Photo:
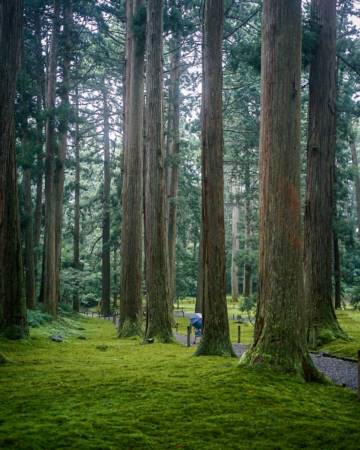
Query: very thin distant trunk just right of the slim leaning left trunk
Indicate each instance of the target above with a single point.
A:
(76, 263)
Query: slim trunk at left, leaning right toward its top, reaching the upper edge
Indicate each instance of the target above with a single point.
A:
(59, 177)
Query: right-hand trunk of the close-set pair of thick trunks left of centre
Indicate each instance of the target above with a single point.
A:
(158, 312)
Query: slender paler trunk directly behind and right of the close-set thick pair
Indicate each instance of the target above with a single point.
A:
(173, 155)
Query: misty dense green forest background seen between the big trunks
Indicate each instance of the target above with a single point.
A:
(87, 114)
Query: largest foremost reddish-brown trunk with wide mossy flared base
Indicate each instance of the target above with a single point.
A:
(279, 338)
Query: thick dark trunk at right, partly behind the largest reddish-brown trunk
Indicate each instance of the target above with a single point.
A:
(318, 238)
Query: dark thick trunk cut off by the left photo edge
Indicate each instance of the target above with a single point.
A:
(12, 299)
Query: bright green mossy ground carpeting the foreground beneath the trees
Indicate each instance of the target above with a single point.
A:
(95, 391)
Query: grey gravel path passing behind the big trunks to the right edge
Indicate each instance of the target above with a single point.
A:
(341, 372)
